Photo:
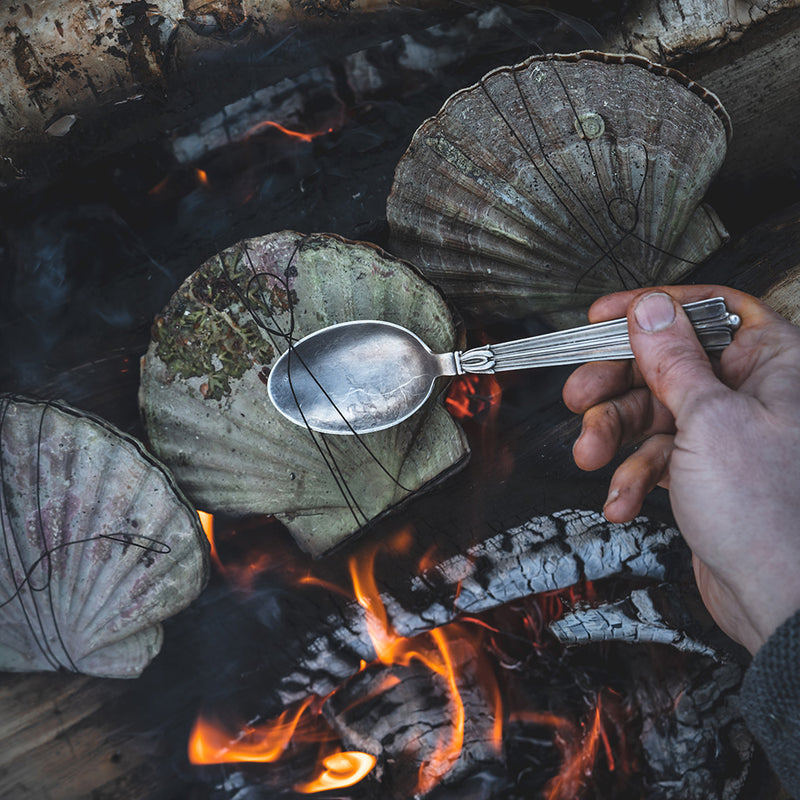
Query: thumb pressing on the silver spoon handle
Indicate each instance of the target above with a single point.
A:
(670, 357)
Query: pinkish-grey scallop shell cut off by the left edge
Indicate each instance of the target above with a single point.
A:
(98, 545)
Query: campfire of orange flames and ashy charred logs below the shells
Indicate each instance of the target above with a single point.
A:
(447, 706)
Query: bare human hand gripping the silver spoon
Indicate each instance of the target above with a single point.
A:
(723, 438)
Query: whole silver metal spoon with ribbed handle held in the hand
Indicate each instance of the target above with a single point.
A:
(367, 375)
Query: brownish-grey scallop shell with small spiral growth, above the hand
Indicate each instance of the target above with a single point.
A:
(555, 181)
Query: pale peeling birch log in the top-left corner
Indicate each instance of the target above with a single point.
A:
(63, 60)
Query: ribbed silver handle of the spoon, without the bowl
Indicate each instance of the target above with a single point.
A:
(602, 341)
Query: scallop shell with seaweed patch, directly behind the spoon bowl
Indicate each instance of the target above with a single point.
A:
(203, 388)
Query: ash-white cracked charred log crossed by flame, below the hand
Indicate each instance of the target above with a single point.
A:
(545, 555)
